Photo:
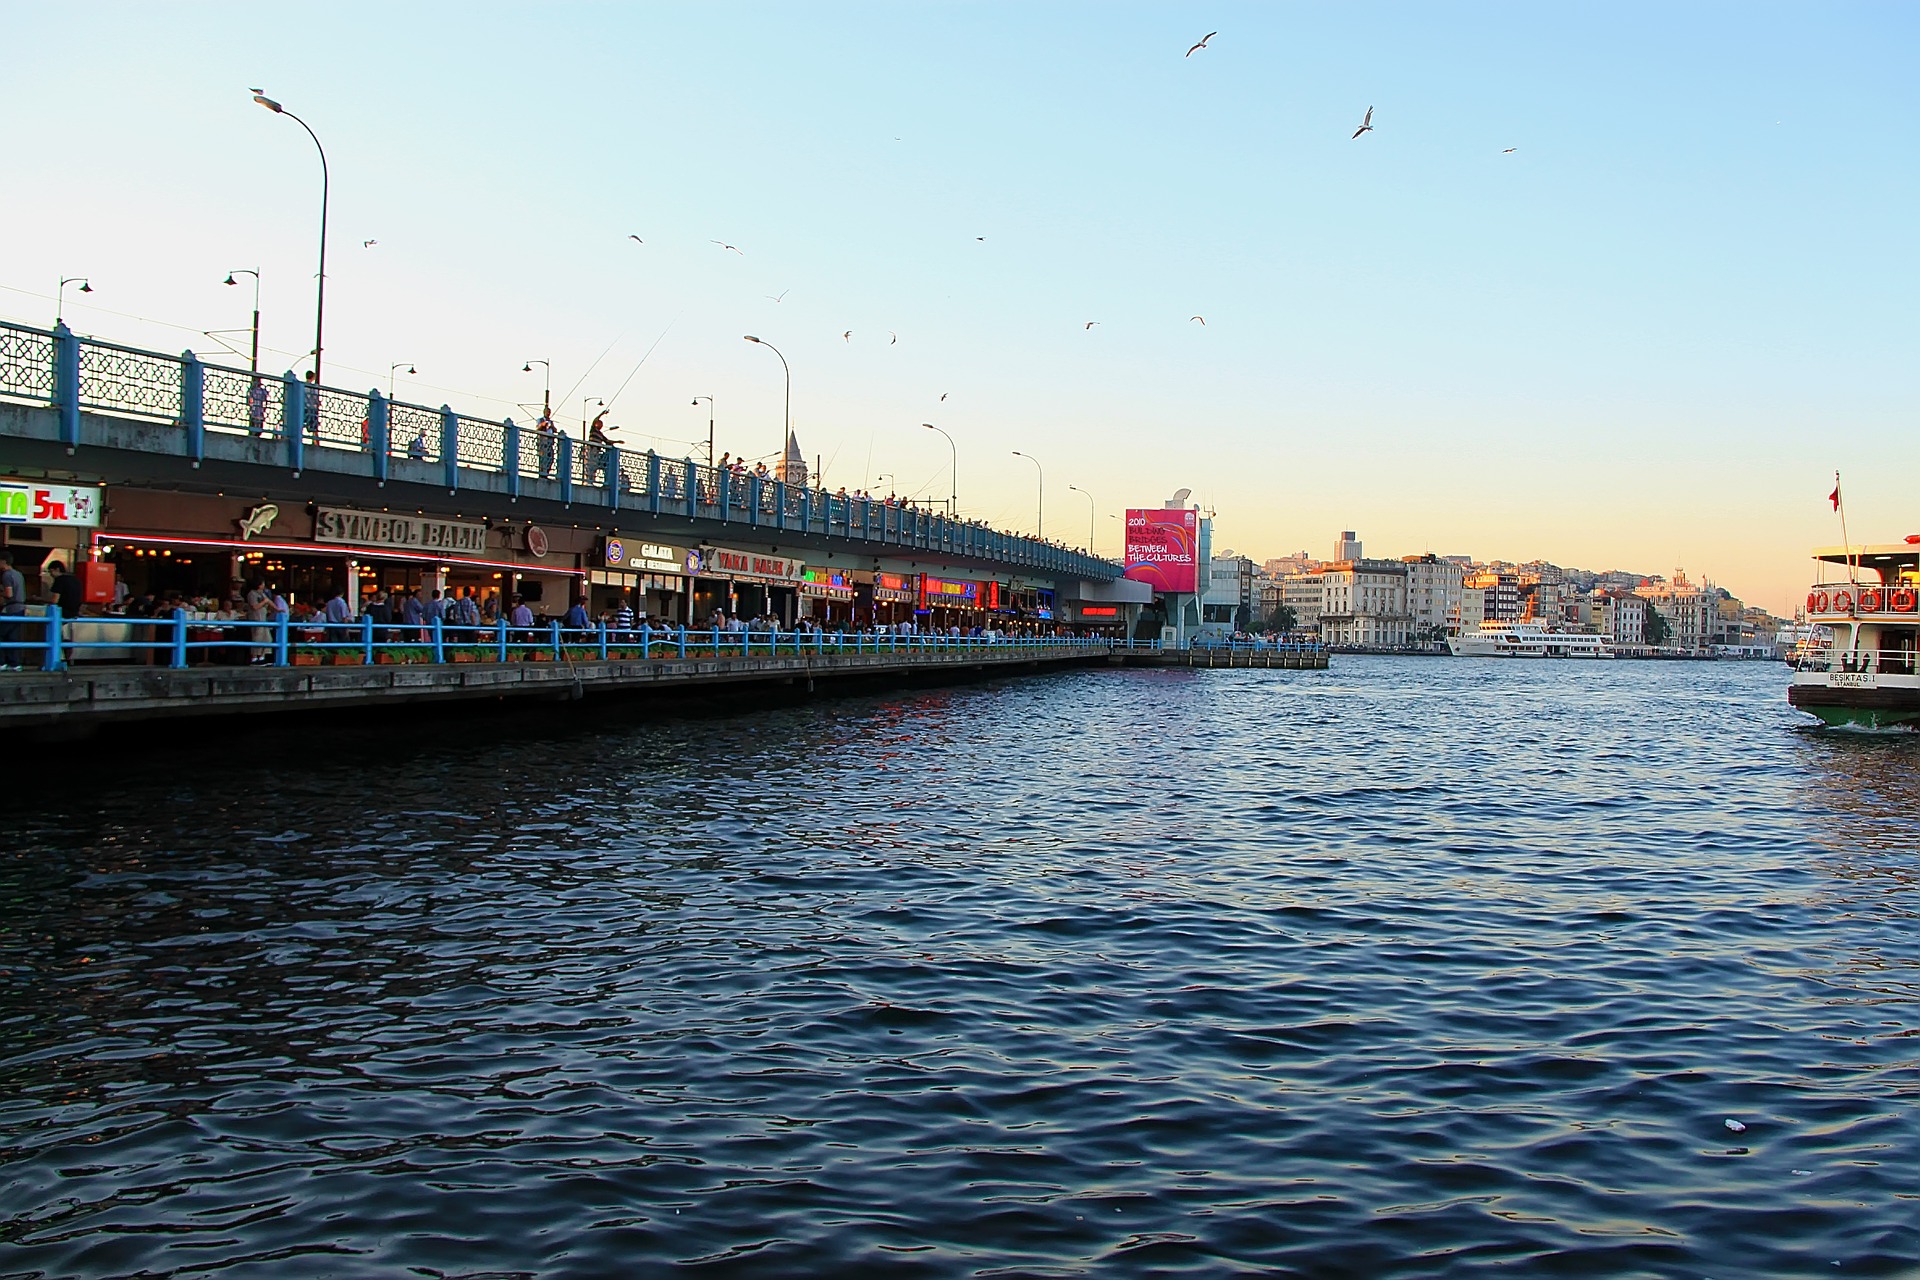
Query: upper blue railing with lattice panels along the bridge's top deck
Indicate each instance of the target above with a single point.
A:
(299, 423)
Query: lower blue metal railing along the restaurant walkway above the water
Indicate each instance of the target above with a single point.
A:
(180, 642)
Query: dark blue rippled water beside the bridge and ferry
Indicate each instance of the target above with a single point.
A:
(1395, 970)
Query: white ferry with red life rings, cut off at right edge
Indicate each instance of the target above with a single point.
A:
(1865, 676)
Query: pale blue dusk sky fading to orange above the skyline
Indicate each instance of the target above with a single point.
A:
(1644, 339)
